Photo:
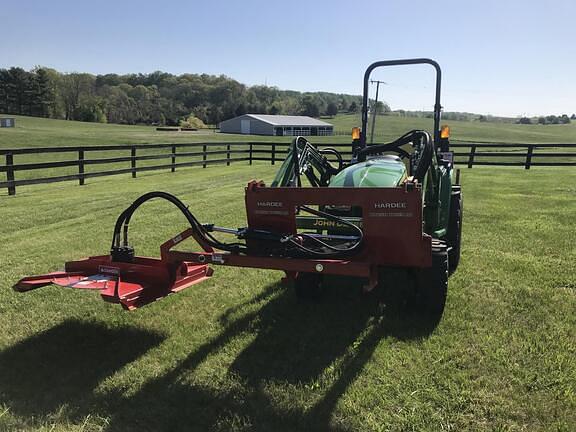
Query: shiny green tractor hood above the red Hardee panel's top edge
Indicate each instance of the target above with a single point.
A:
(383, 171)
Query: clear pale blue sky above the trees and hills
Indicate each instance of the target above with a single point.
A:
(501, 57)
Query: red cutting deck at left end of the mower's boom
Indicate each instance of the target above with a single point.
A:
(131, 284)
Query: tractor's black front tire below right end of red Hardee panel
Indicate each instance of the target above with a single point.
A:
(432, 286)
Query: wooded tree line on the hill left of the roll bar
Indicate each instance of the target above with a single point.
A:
(156, 98)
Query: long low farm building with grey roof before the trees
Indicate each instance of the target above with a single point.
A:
(278, 125)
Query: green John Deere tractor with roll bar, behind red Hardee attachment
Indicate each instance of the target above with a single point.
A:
(415, 158)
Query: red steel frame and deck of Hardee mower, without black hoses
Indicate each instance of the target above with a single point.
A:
(391, 223)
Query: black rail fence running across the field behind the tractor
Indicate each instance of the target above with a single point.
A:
(173, 156)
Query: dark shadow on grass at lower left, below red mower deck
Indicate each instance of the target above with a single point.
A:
(61, 367)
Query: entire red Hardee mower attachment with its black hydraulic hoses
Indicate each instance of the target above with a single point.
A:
(272, 240)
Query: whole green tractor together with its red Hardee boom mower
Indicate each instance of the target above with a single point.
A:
(390, 216)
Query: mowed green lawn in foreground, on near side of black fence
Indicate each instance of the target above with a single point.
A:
(240, 352)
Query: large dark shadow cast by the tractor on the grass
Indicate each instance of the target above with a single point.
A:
(295, 343)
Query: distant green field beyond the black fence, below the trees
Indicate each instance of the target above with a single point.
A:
(39, 132)
